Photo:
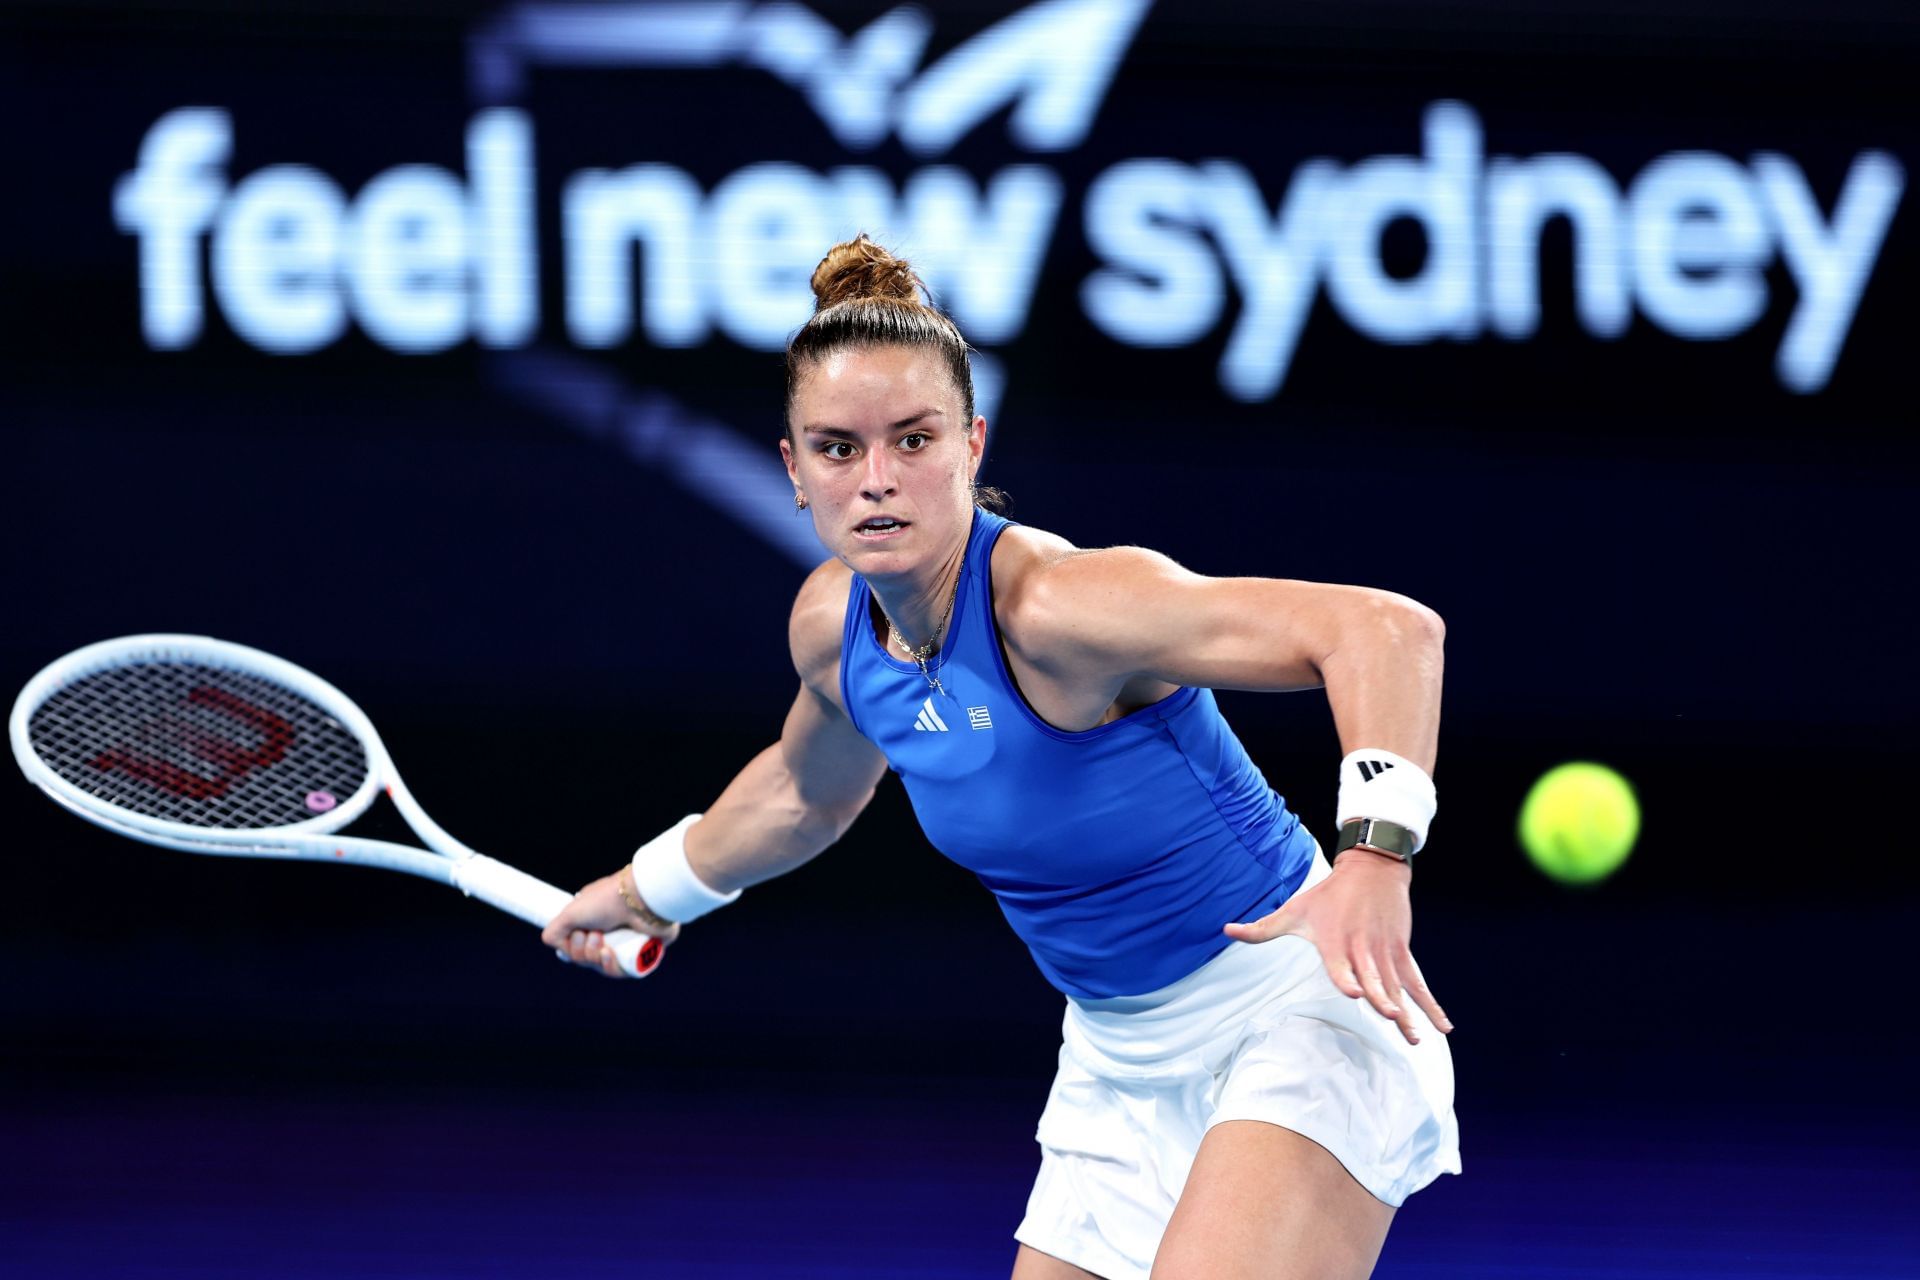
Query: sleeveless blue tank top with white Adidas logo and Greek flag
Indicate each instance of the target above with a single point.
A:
(1116, 853)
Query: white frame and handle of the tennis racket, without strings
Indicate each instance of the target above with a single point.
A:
(318, 838)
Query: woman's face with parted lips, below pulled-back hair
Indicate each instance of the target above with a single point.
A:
(884, 458)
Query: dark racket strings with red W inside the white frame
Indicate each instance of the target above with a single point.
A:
(199, 746)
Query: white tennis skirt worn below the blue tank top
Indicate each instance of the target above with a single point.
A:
(1259, 1033)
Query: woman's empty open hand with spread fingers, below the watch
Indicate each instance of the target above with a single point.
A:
(1362, 922)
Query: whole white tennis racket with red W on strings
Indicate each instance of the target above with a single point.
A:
(208, 747)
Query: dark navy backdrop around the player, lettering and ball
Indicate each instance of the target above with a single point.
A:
(1646, 550)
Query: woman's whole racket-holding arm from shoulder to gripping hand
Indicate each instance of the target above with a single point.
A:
(790, 803)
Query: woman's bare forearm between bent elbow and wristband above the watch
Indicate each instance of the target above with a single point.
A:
(1383, 678)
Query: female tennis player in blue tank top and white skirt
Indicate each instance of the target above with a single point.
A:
(1249, 1079)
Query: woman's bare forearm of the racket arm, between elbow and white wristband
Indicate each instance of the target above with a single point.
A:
(763, 826)
